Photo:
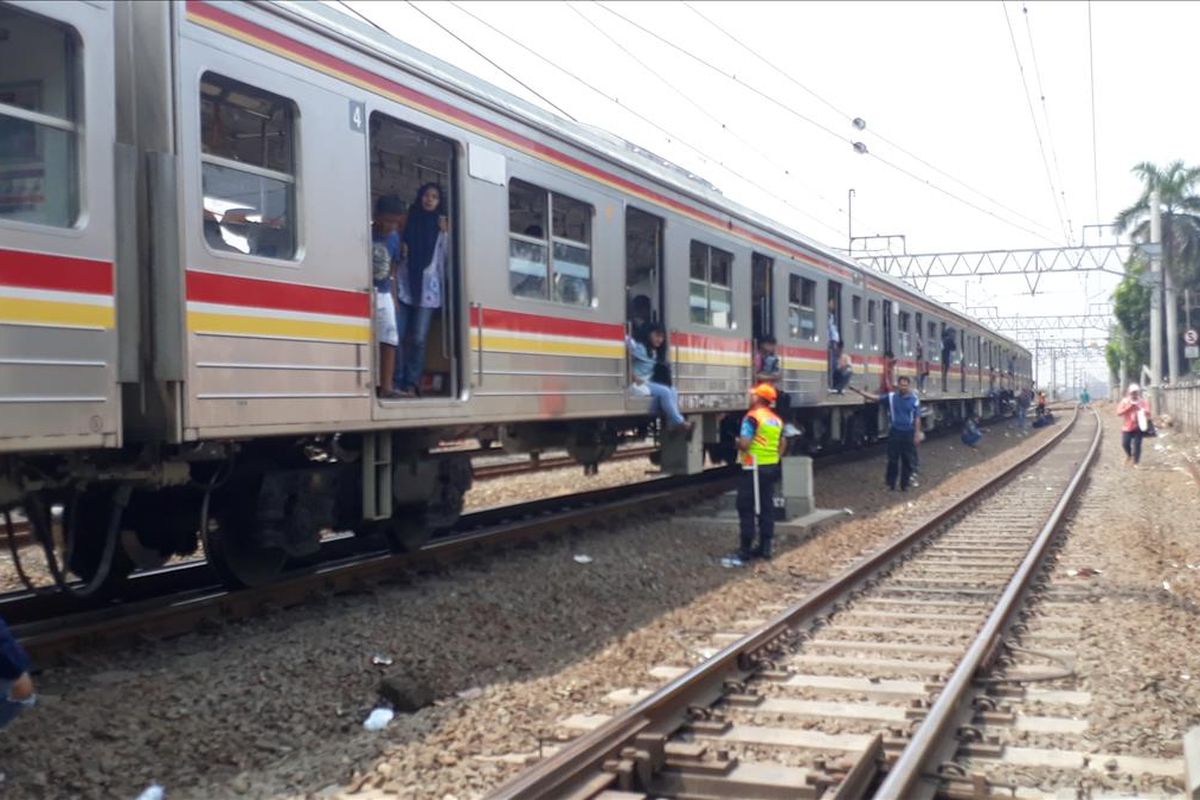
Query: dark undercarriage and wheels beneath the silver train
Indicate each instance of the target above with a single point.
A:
(261, 509)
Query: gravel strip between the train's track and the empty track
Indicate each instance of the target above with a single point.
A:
(509, 646)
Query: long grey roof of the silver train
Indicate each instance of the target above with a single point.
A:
(334, 22)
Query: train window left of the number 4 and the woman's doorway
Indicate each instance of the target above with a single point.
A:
(248, 161)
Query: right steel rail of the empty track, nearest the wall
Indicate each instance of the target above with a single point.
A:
(931, 738)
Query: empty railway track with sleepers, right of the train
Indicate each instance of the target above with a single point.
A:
(937, 667)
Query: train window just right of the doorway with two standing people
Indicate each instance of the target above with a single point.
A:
(567, 276)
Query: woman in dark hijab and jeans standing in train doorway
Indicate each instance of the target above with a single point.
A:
(419, 285)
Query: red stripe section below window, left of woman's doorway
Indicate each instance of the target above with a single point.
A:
(256, 293)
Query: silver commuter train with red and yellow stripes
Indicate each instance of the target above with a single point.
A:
(188, 356)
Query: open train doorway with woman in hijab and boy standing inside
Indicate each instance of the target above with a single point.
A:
(405, 161)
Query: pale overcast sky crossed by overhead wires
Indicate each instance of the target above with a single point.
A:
(937, 80)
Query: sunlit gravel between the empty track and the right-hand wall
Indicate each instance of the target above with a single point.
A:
(1137, 652)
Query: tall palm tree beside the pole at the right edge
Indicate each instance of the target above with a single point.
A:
(1178, 191)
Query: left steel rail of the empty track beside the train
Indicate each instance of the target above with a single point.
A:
(578, 765)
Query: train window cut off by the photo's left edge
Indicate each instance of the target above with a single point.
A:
(39, 131)
